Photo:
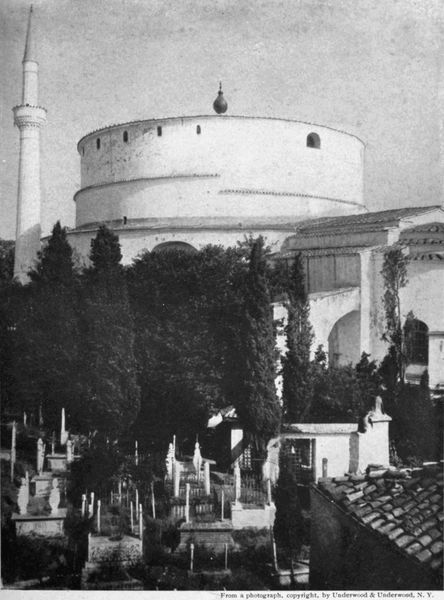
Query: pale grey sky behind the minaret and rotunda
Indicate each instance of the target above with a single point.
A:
(369, 67)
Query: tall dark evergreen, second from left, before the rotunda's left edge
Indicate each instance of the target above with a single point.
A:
(110, 402)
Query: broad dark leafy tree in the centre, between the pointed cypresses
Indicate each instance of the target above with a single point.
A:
(183, 305)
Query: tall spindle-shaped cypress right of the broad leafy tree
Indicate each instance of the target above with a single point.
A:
(256, 404)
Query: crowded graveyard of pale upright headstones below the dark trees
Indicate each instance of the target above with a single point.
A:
(190, 523)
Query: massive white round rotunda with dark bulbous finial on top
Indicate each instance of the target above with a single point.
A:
(190, 181)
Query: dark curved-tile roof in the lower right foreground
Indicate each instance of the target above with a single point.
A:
(403, 506)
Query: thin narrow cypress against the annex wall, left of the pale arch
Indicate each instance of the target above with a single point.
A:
(296, 368)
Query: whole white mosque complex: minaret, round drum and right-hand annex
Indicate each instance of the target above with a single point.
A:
(185, 182)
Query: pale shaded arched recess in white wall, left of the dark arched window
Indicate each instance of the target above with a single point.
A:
(344, 340)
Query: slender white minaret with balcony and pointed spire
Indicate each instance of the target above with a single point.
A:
(28, 117)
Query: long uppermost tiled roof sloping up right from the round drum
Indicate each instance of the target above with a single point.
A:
(383, 217)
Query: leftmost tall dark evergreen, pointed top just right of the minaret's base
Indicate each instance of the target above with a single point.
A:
(47, 345)
